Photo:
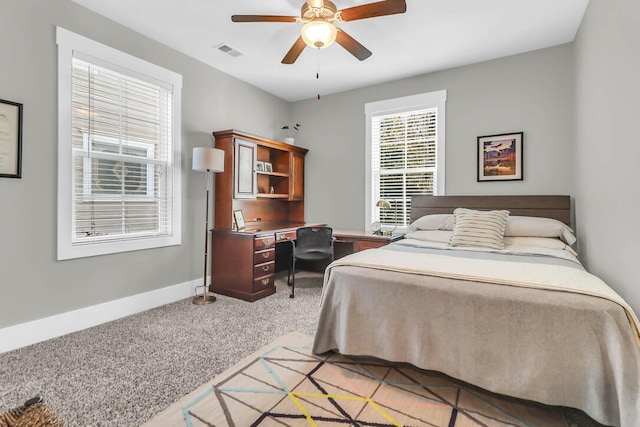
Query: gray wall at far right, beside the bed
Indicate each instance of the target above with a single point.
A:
(607, 53)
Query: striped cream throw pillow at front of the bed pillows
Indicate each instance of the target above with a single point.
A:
(483, 229)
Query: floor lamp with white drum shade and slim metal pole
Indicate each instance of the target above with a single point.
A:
(206, 159)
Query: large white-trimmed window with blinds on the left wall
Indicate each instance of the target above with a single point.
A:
(118, 151)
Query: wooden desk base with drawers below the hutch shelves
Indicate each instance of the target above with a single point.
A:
(243, 262)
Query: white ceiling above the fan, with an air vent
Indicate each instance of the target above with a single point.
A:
(432, 35)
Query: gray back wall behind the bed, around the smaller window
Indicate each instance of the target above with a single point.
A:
(531, 92)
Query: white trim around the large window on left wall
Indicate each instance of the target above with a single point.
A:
(68, 43)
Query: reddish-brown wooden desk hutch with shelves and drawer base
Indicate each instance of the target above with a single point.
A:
(272, 203)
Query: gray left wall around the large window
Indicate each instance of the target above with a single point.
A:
(32, 283)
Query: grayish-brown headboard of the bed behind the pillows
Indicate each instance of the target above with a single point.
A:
(556, 207)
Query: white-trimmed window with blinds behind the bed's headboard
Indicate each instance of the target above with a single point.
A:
(405, 155)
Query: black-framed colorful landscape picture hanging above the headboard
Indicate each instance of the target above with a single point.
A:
(500, 157)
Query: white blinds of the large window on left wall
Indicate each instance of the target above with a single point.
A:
(121, 146)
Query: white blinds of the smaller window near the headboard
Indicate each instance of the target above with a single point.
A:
(403, 161)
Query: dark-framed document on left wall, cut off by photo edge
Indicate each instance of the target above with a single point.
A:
(10, 139)
